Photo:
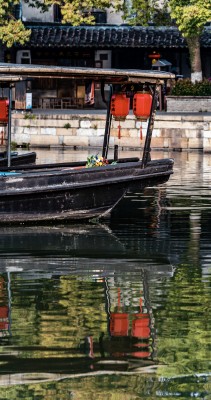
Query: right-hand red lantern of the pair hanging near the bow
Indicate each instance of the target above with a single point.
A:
(142, 103)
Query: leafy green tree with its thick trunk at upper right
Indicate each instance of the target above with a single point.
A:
(190, 17)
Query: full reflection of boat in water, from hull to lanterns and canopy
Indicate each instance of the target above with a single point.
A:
(60, 270)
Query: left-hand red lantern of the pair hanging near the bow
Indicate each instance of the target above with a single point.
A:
(120, 106)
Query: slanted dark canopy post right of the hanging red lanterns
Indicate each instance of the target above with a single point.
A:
(147, 149)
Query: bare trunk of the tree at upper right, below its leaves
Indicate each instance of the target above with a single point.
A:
(195, 58)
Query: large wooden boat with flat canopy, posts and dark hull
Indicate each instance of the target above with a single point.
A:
(70, 191)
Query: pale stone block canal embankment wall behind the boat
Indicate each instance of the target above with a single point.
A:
(171, 131)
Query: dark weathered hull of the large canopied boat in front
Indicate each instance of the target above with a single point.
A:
(71, 194)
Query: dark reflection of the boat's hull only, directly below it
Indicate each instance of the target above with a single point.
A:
(78, 249)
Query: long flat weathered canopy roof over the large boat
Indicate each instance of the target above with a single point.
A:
(107, 75)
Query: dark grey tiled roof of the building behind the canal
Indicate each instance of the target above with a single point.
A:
(110, 36)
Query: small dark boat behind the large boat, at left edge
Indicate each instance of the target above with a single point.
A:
(17, 158)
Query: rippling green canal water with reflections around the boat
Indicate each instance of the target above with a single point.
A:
(112, 309)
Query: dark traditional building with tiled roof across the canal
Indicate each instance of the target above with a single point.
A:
(108, 44)
